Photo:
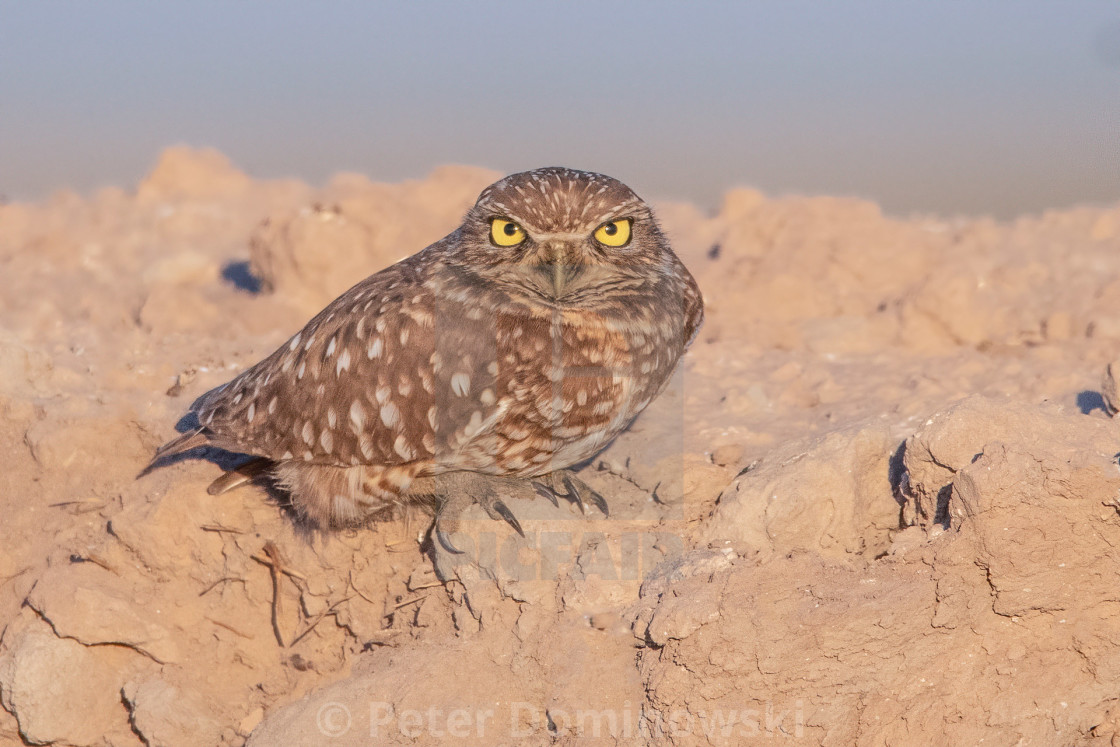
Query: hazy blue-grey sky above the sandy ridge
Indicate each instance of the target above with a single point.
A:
(994, 106)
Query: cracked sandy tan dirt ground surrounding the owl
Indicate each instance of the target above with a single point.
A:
(880, 506)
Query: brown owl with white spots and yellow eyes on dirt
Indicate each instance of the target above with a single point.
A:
(515, 348)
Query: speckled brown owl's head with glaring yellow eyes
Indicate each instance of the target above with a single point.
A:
(561, 235)
